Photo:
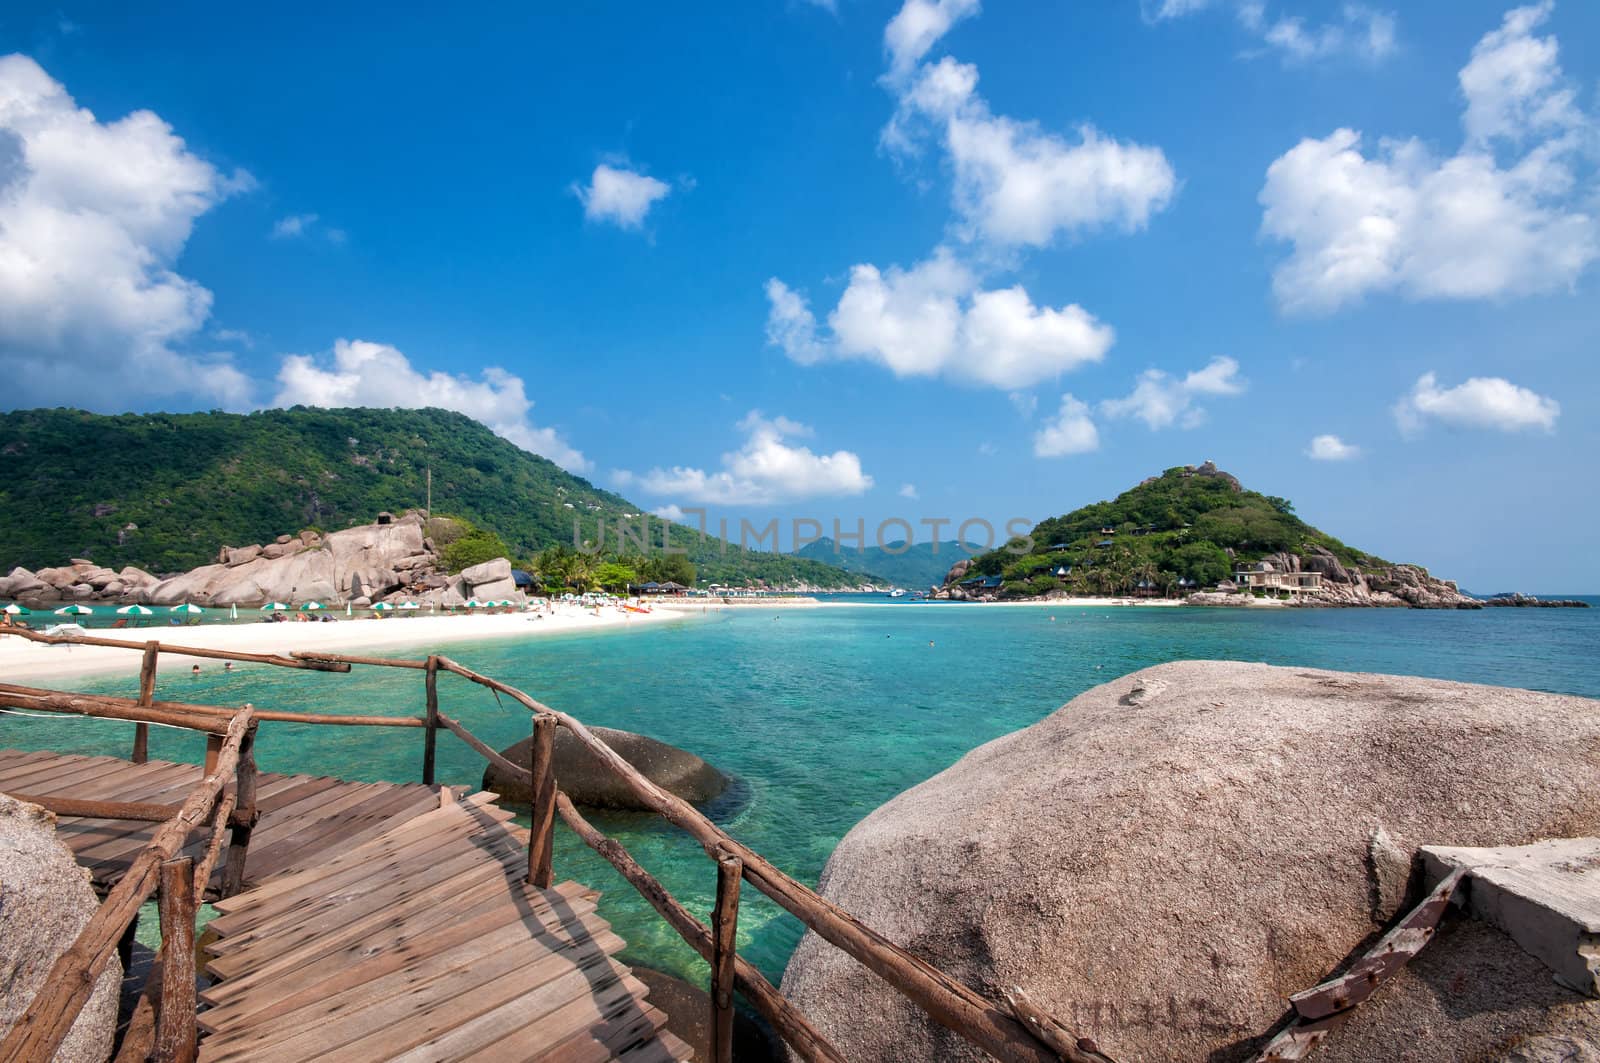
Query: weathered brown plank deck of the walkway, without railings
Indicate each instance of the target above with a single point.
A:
(380, 921)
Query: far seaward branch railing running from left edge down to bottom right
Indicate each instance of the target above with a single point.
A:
(1014, 1032)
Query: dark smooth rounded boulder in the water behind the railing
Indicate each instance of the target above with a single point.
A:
(590, 782)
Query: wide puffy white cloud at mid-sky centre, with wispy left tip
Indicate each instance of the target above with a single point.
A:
(937, 321)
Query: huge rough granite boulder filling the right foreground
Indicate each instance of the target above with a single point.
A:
(1167, 859)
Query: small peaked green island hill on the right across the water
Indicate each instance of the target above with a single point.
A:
(1177, 526)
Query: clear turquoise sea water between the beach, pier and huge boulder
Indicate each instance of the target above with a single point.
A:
(822, 715)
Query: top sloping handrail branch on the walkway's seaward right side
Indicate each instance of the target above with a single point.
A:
(950, 1003)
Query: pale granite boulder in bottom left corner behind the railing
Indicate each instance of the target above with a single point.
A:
(46, 901)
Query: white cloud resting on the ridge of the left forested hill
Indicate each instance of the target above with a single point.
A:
(377, 375)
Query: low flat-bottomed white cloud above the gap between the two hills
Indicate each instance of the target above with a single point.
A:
(767, 470)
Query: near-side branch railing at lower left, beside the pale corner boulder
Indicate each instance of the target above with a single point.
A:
(164, 1024)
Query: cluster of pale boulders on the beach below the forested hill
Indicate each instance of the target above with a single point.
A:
(391, 561)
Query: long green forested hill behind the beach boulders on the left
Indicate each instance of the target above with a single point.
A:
(166, 491)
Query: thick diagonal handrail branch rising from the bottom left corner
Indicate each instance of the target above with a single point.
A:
(49, 1017)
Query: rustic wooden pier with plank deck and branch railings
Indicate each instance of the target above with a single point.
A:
(385, 921)
